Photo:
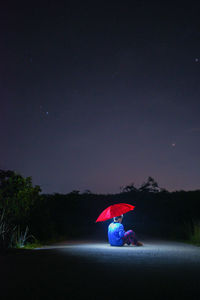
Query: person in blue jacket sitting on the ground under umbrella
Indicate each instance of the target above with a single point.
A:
(117, 236)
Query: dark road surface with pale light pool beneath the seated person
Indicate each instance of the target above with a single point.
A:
(94, 270)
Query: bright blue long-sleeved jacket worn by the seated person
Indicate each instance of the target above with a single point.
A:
(115, 234)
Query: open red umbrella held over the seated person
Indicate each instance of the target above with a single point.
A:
(114, 211)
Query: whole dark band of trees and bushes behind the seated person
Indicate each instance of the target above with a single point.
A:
(60, 216)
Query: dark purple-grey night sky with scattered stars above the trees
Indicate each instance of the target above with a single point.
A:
(96, 95)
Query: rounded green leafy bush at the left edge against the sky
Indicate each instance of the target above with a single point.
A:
(17, 195)
